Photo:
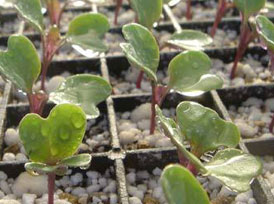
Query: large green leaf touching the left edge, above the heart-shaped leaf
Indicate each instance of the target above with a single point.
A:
(20, 63)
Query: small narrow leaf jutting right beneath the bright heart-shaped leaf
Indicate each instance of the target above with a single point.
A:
(79, 160)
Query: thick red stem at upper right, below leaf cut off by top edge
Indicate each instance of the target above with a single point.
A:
(245, 38)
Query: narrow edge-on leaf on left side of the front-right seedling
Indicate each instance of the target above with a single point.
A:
(171, 130)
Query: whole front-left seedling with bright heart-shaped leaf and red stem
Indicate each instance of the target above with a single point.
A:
(52, 142)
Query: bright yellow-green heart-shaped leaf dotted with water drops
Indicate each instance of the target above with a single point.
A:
(57, 137)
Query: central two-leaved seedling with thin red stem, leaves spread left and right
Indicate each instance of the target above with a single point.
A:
(188, 71)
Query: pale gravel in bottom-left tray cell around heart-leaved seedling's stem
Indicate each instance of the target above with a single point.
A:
(91, 187)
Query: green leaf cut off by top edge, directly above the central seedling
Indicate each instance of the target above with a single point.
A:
(148, 11)
